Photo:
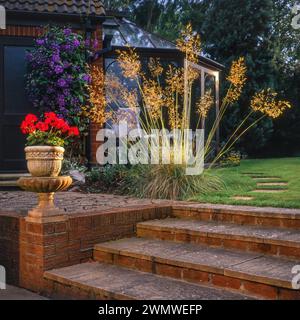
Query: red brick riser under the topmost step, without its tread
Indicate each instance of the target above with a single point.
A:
(271, 220)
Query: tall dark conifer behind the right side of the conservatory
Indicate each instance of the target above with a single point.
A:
(235, 28)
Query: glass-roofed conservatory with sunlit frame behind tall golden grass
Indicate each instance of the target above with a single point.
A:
(120, 33)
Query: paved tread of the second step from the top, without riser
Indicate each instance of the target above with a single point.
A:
(227, 230)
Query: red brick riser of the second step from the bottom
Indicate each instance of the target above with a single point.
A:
(210, 277)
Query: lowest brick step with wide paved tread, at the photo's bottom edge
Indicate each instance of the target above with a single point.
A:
(104, 281)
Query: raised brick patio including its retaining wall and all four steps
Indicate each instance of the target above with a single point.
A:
(163, 250)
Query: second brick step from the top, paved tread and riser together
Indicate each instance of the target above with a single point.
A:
(272, 241)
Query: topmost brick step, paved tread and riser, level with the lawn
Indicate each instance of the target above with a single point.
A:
(268, 217)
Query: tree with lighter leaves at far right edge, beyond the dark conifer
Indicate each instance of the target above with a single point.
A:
(286, 64)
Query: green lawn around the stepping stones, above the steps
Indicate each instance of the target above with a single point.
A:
(237, 183)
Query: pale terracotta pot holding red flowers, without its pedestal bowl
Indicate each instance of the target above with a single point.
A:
(44, 161)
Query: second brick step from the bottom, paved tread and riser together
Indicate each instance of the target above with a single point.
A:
(250, 273)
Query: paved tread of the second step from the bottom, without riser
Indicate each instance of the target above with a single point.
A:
(207, 259)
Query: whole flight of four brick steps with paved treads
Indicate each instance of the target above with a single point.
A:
(200, 252)
